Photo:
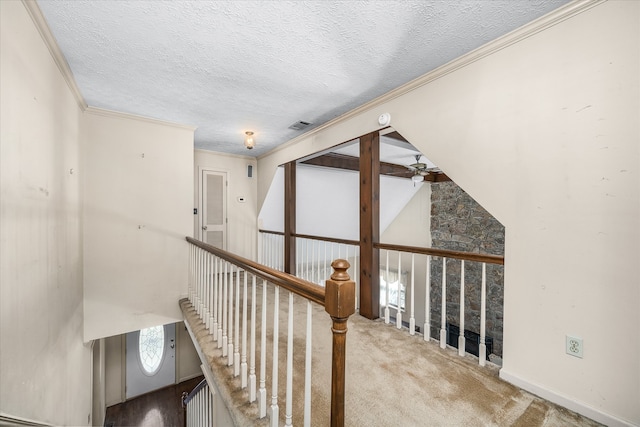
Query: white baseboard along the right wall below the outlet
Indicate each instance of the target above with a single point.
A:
(565, 401)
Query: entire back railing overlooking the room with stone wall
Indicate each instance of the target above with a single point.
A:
(408, 296)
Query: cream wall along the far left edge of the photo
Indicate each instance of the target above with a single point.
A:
(42, 355)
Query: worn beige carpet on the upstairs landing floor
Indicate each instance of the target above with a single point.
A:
(392, 378)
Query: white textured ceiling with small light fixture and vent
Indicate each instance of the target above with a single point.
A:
(231, 66)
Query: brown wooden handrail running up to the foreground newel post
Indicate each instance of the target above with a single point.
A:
(303, 288)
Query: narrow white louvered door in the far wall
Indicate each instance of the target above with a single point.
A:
(213, 207)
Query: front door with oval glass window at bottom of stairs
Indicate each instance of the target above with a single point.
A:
(151, 359)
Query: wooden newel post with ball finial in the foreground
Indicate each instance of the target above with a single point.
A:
(340, 300)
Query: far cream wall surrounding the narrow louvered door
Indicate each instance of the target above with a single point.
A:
(242, 228)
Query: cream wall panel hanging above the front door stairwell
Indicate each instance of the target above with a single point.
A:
(138, 210)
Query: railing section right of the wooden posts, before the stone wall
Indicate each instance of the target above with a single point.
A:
(407, 275)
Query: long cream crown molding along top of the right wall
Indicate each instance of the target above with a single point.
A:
(544, 22)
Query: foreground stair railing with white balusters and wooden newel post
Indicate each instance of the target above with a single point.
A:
(221, 302)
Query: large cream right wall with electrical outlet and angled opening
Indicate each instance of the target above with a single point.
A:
(543, 132)
